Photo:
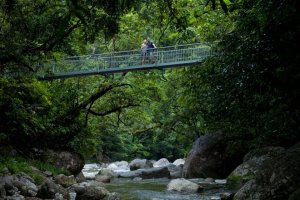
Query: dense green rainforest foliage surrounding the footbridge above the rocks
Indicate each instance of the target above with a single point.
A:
(248, 89)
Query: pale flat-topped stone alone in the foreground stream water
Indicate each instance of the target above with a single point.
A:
(183, 186)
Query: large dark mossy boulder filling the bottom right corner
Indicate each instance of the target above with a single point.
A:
(276, 177)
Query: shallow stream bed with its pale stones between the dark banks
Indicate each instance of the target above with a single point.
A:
(158, 180)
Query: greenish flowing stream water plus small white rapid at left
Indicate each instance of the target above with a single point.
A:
(156, 189)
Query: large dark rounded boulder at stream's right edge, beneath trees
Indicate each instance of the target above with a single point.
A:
(209, 158)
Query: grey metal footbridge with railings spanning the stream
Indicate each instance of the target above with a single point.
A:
(125, 61)
